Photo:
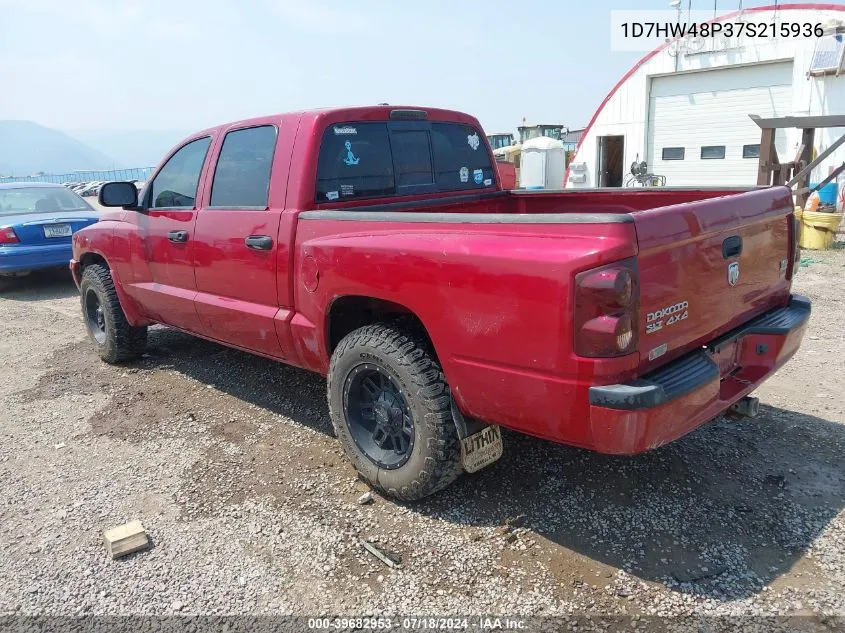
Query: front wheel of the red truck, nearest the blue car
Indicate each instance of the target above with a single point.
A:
(115, 340)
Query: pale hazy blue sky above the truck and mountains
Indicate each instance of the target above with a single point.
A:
(191, 64)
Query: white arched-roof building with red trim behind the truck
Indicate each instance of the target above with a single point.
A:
(684, 108)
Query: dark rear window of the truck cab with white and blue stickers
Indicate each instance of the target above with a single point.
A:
(361, 160)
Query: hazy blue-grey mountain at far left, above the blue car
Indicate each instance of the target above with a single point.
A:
(27, 148)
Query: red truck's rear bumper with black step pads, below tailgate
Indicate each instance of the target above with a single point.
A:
(677, 398)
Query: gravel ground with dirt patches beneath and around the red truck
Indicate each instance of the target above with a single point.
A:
(229, 461)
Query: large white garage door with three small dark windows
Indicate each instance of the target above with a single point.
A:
(699, 130)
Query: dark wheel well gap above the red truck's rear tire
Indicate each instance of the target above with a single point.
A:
(352, 312)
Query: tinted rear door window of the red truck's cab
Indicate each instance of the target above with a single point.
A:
(242, 176)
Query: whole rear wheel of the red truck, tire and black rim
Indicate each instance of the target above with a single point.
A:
(391, 408)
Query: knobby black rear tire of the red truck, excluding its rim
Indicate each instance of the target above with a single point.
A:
(435, 459)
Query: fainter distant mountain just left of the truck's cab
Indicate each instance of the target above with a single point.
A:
(133, 148)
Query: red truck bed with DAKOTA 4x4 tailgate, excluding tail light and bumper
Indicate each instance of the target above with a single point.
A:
(491, 278)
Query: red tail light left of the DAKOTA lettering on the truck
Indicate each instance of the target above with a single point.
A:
(606, 310)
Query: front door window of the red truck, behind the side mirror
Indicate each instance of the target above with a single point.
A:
(175, 185)
